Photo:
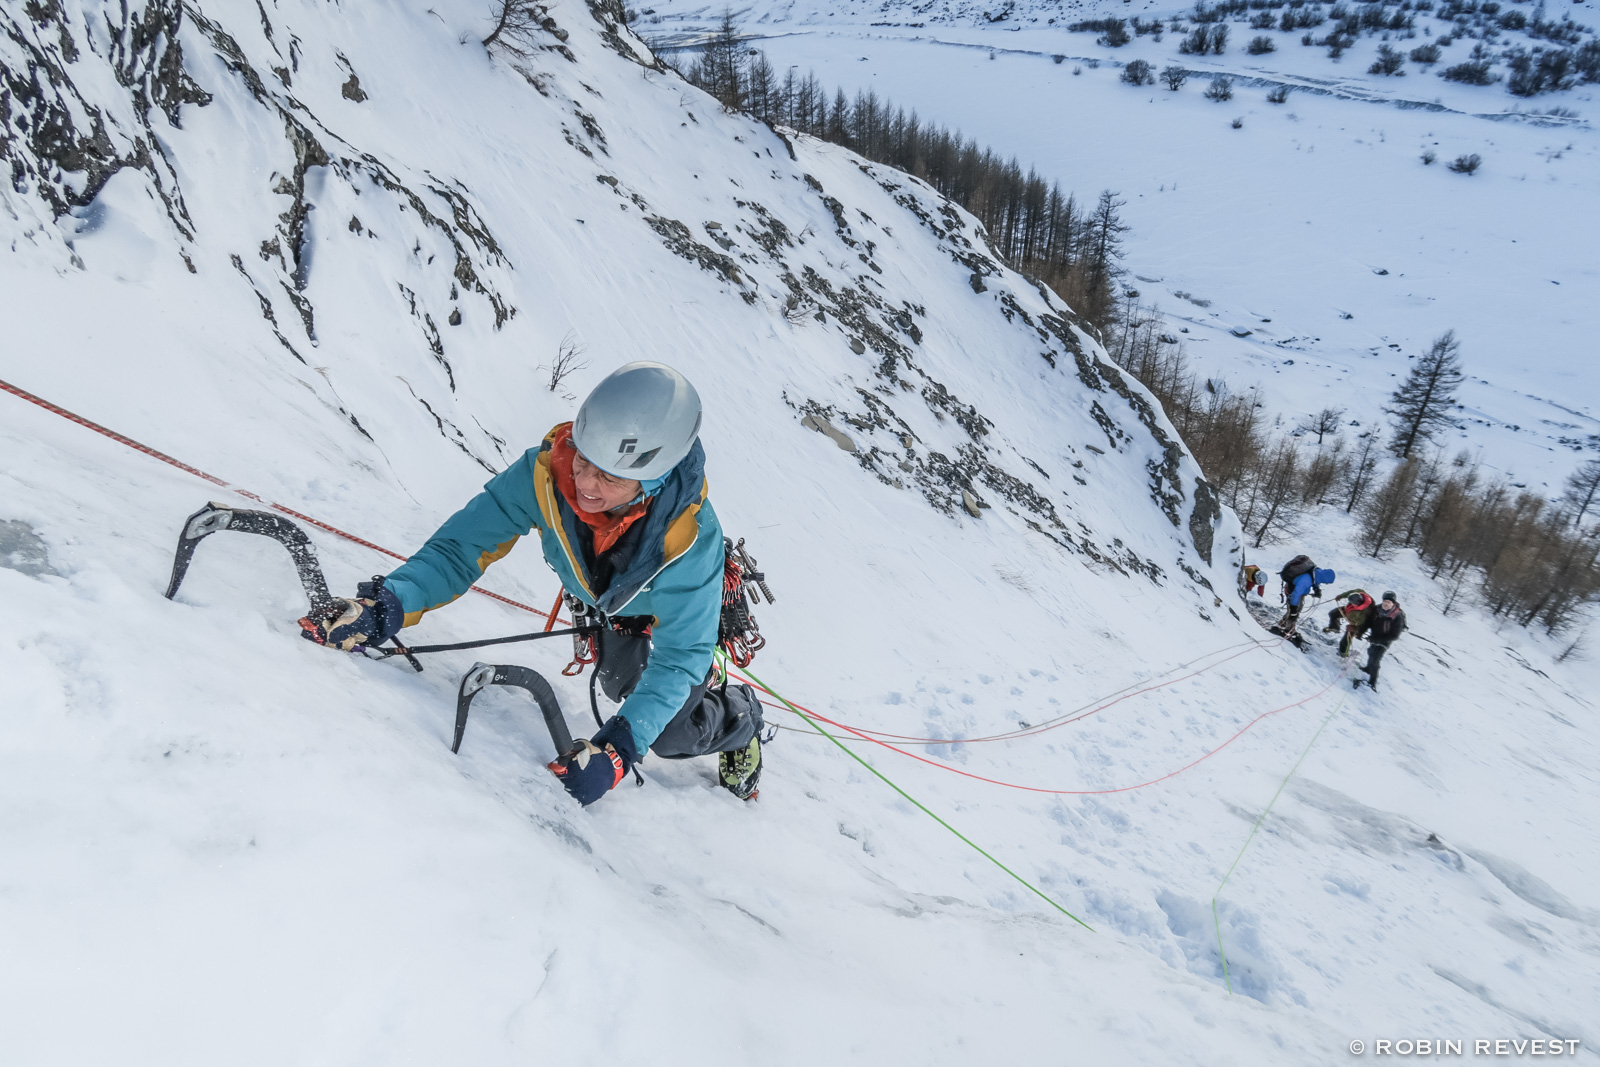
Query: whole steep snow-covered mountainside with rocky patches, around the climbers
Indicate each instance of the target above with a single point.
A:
(330, 255)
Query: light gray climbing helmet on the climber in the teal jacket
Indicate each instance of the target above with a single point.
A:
(639, 423)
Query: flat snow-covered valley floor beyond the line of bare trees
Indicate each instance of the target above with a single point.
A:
(1316, 226)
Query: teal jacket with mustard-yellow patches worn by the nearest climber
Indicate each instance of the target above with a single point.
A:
(668, 565)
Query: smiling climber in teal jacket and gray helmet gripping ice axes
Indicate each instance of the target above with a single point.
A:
(625, 521)
